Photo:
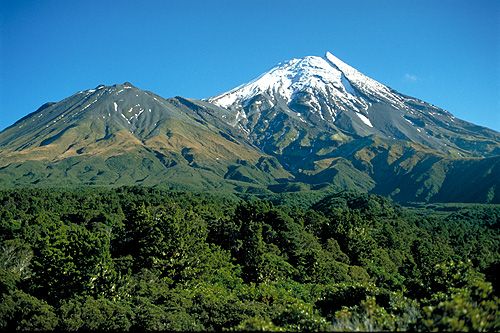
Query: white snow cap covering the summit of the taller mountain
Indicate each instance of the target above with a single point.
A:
(320, 77)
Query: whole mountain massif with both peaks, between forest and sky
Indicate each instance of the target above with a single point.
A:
(305, 124)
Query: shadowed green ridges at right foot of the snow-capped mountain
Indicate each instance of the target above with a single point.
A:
(409, 172)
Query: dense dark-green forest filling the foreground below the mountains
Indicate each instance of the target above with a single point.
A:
(136, 258)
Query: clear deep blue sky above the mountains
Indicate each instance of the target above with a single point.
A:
(443, 52)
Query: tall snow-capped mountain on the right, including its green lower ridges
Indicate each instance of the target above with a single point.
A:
(327, 122)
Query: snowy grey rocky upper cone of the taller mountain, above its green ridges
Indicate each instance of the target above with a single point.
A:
(284, 105)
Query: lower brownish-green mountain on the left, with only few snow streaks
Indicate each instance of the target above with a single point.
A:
(121, 135)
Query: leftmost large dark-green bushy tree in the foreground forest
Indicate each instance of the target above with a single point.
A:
(68, 260)
